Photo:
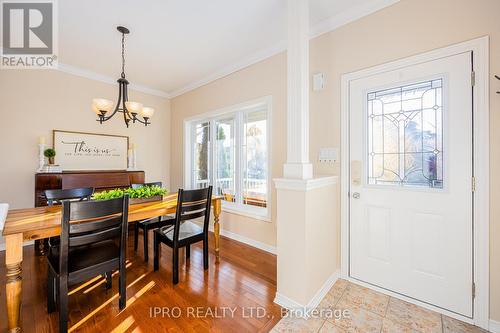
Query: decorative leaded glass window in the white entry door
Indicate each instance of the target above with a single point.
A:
(405, 135)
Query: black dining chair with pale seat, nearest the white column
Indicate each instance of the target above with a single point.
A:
(192, 204)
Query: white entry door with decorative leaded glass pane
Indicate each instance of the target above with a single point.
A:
(411, 182)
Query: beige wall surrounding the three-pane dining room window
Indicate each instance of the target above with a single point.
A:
(267, 78)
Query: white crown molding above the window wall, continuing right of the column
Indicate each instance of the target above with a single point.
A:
(318, 29)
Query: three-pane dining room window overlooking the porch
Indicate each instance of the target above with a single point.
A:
(230, 151)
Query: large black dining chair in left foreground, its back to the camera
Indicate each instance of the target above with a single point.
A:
(93, 242)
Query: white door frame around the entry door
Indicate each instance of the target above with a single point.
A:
(480, 49)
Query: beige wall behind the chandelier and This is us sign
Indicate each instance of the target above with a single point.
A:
(34, 102)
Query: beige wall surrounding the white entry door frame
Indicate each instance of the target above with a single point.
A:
(407, 28)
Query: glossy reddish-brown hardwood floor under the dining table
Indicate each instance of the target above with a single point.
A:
(243, 281)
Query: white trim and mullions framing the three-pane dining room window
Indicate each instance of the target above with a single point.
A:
(263, 214)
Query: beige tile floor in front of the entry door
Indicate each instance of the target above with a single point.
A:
(371, 311)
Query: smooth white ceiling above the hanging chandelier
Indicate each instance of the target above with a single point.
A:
(177, 45)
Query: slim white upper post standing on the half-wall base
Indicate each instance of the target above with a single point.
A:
(297, 164)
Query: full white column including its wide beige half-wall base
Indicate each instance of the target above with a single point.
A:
(305, 212)
